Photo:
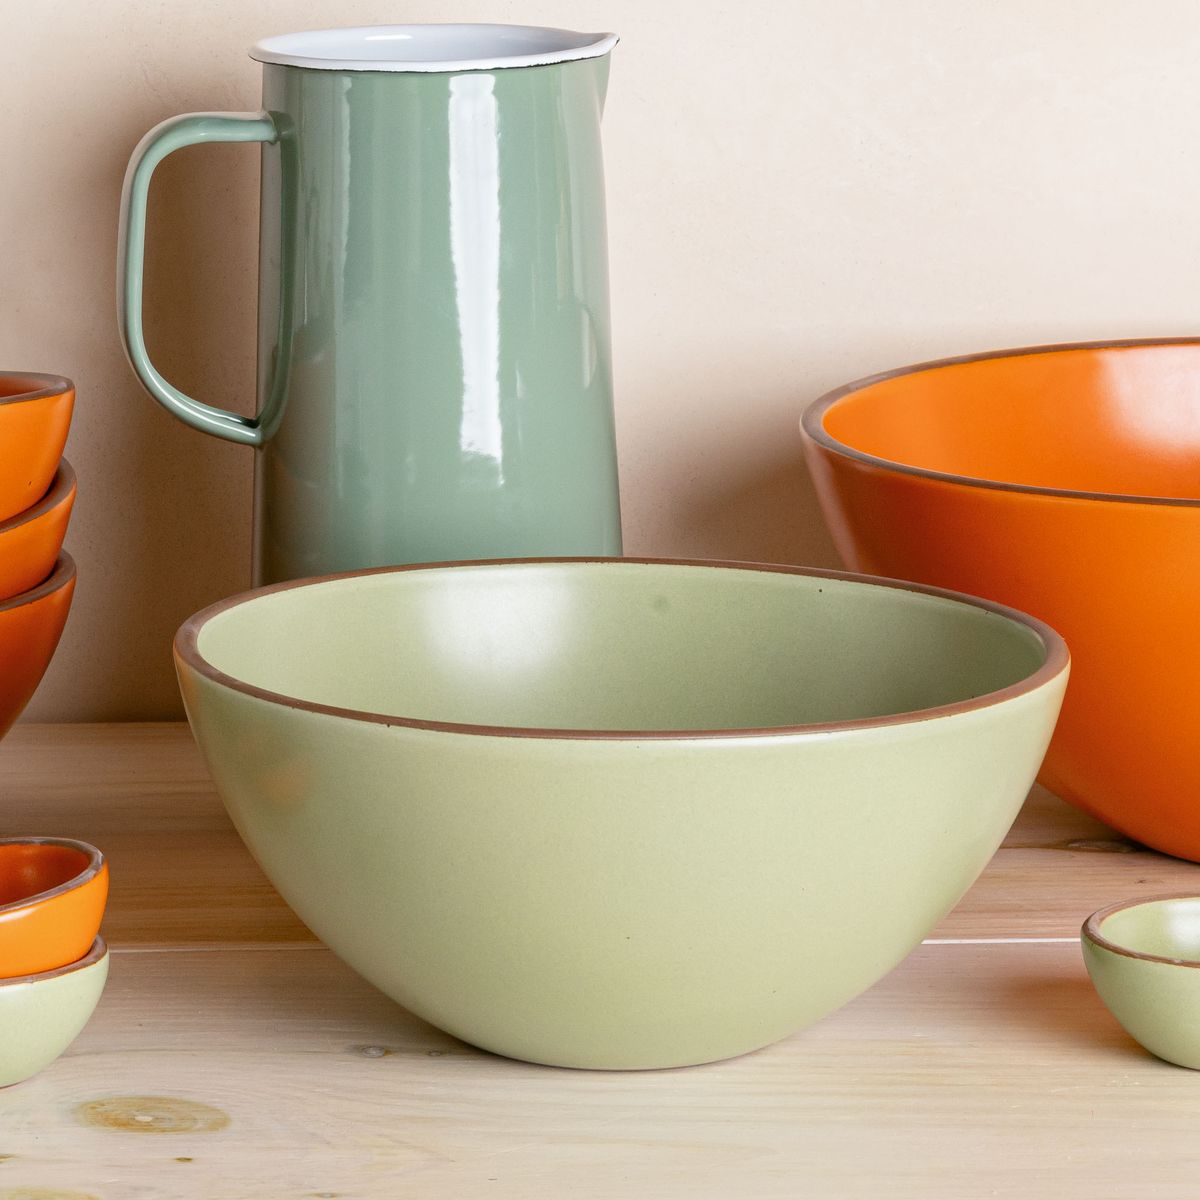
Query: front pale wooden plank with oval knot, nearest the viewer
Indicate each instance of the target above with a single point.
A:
(973, 1071)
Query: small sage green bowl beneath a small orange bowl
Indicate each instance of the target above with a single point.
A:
(41, 1016)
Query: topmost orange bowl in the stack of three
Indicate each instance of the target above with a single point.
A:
(35, 417)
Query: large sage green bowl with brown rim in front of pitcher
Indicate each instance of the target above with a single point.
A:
(620, 813)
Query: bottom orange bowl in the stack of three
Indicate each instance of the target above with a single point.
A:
(31, 627)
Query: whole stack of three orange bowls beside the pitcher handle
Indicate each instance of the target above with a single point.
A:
(38, 490)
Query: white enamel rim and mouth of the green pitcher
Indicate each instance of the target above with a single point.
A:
(431, 49)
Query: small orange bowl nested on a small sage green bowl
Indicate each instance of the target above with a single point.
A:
(52, 899)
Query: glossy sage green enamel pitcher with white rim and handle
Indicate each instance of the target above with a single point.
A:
(435, 376)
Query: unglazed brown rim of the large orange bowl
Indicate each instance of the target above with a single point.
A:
(813, 423)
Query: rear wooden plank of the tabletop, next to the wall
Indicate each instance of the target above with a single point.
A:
(182, 875)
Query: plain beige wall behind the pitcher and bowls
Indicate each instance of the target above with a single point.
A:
(801, 193)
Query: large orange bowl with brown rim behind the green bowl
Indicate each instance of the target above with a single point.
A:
(1065, 482)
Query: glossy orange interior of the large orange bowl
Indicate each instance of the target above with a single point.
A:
(1118, 419)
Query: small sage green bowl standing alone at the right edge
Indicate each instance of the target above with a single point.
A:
(1144, 958)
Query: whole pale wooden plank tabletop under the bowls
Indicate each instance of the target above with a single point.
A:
(233, 1058)
